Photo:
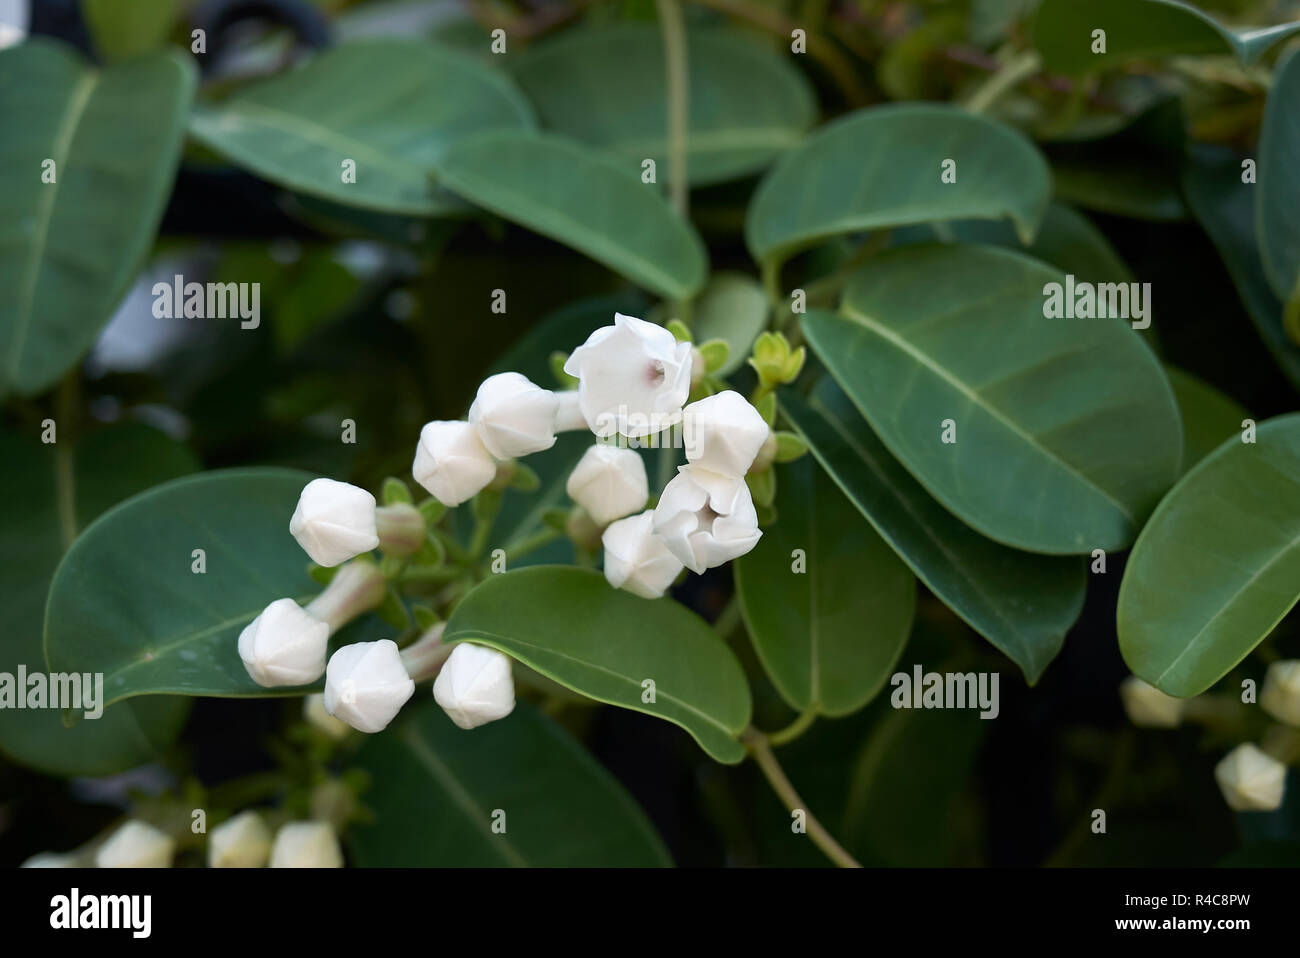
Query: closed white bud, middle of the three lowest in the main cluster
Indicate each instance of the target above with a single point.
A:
(366, 686)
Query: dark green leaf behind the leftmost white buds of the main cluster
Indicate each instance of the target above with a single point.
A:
(125, 602)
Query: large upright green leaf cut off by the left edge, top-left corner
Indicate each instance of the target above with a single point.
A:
(73, 246)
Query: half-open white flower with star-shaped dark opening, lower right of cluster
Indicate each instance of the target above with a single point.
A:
(696, 530)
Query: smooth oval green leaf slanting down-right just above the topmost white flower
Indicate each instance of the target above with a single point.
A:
(584, 200)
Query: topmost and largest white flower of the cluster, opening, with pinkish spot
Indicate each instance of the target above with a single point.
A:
(634, 378)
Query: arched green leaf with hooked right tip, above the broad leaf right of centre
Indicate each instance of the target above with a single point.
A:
(879, 168)
